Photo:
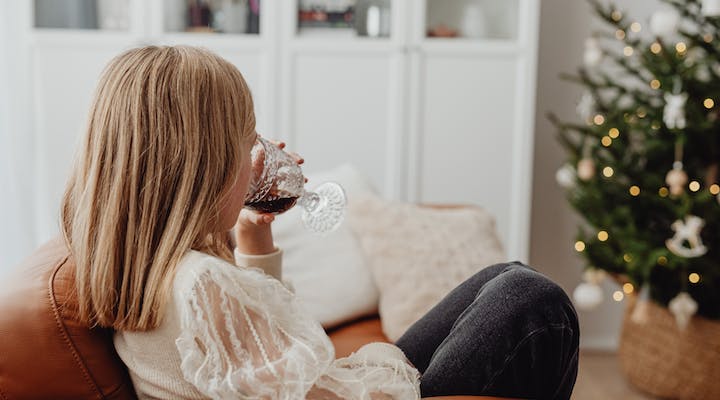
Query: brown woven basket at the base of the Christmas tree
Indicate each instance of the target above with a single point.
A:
(660, 359)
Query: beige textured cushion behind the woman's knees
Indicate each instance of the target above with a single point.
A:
(417, 254)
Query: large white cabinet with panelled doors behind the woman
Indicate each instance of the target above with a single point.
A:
(427, 119)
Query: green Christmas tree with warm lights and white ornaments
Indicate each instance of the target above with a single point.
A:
(642, 164)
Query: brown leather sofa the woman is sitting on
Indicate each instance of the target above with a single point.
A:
(46, 354)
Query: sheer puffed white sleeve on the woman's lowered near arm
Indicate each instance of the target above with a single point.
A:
(244, 335)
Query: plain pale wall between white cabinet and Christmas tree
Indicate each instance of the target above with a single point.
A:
(564, 26)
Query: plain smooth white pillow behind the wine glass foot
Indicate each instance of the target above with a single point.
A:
(329, 274)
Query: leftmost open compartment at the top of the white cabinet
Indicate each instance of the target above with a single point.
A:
(111, 15)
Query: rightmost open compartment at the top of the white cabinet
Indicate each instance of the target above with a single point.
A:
(471, 19)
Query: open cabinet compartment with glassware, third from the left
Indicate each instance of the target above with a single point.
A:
(344, 18)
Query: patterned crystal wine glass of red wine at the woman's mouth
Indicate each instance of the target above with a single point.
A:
(277, 184)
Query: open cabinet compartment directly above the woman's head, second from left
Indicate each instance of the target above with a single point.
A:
(236, 17)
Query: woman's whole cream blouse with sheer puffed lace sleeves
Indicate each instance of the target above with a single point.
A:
(238, 333)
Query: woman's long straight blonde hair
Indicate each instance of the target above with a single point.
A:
(161, 150)
